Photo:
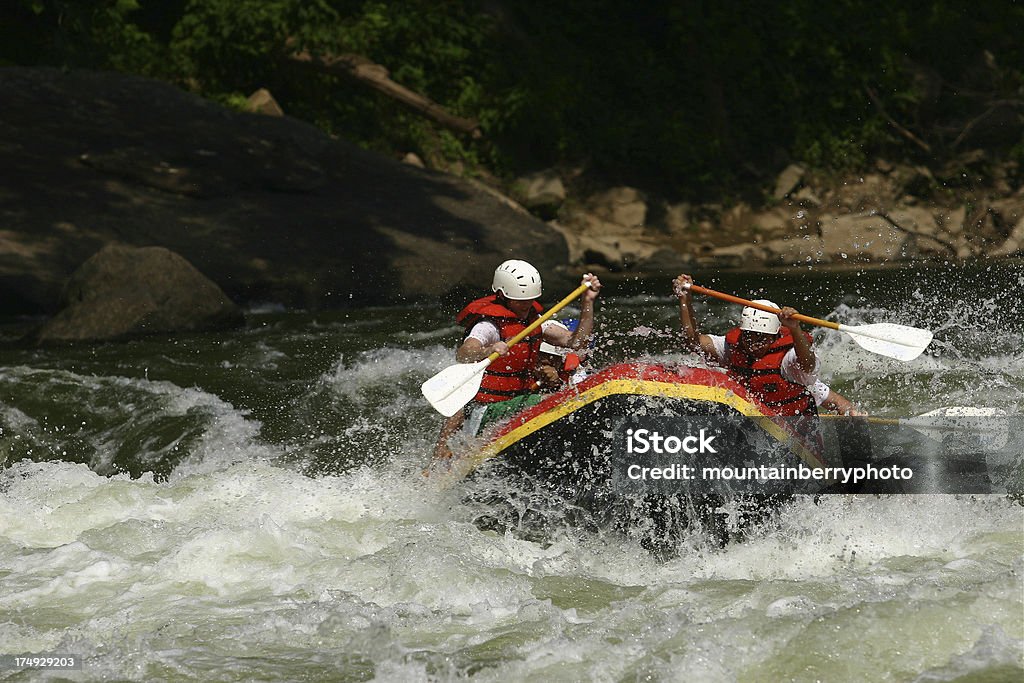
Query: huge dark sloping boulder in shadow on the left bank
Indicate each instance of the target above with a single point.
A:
(271, 208)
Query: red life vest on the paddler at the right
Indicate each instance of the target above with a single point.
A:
(763, 375)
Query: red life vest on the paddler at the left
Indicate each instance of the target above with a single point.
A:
(509, 375)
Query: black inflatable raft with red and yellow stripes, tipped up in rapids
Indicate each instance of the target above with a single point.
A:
(650, 446)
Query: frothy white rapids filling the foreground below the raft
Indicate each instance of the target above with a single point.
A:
(264, 564)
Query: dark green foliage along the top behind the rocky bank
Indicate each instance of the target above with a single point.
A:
(686, 98)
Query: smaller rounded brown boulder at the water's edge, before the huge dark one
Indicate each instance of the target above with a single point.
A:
(124, 292)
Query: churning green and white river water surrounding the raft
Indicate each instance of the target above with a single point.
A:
(250, 506)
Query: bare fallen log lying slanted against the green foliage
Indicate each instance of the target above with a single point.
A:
(362, 70)
